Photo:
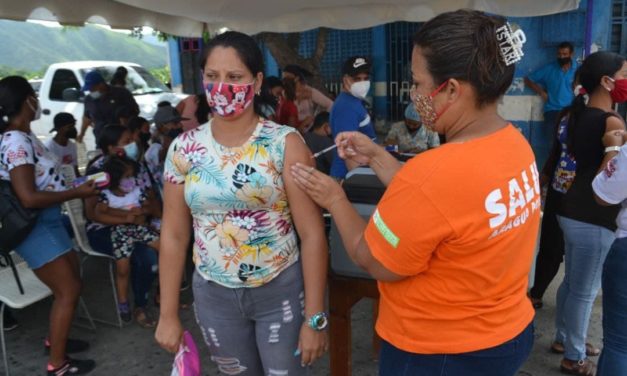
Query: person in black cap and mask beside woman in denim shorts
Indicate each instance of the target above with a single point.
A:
(61, 144)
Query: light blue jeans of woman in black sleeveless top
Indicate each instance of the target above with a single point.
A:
(586, 247)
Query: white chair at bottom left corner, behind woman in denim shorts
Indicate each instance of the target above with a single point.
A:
(20, 288)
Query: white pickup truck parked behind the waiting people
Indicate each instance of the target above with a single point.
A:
(60, 91)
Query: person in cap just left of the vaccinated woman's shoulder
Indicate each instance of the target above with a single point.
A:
(168, 123)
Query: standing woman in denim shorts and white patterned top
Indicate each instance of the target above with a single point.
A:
(33, 172)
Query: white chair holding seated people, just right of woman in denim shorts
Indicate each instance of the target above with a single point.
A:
(75, 211)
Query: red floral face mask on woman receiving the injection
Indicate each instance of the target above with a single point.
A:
(228, 100)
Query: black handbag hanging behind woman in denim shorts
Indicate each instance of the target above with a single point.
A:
(16, 221)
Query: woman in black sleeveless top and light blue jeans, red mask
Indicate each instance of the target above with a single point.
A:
(588, 227)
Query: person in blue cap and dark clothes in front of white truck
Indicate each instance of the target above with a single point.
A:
(102, 104)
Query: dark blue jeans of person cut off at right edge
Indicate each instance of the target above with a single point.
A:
(613, 359)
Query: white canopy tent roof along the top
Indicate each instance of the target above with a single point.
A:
(192, 17)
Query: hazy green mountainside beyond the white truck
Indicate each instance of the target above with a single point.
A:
(32, 47)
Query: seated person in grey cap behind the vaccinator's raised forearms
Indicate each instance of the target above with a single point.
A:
(410, 135)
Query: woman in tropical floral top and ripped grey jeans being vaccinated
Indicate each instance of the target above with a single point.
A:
(258, 292)
